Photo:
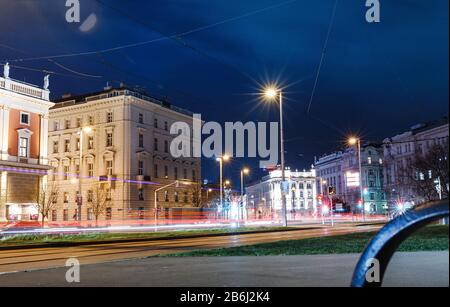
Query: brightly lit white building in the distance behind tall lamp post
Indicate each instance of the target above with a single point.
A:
(301, 193)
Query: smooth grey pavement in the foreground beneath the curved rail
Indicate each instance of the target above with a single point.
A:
(406, 269)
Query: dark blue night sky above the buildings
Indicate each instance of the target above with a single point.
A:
(377, 79)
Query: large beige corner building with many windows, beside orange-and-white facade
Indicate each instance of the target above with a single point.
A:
(125, 152)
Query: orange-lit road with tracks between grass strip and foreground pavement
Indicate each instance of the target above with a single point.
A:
(43, 258)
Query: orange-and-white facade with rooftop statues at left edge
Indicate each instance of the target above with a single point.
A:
(24, 110)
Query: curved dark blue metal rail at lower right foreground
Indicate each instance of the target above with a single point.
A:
(385, 243)
